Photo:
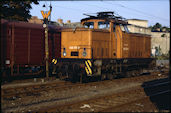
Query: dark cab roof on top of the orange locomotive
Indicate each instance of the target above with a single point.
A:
(108, 16)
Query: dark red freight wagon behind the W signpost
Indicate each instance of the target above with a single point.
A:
(23, 48)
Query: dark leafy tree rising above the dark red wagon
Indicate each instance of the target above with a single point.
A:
(16, 10)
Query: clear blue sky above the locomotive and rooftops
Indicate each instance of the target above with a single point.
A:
(154, 10)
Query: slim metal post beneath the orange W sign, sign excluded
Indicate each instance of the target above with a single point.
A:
(46, 51)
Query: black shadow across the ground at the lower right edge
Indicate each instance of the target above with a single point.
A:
(162, 100)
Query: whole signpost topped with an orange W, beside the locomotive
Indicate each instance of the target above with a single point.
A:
(45, 25)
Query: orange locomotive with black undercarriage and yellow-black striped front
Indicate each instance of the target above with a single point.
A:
(104, 48)
